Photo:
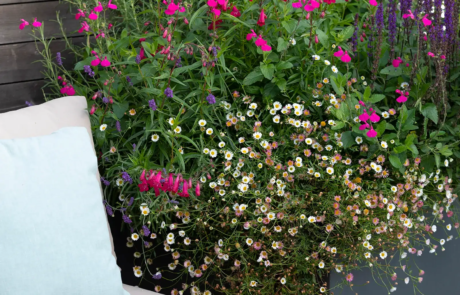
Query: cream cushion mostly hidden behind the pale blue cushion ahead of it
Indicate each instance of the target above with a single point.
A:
(47, 118)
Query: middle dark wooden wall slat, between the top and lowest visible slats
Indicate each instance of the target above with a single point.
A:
(18, 61)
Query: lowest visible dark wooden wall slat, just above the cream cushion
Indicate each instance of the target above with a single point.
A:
(14, 96)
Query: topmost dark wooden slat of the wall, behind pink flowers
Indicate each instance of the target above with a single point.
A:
(10, 16)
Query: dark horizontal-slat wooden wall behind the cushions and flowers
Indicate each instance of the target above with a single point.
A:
(20, 74)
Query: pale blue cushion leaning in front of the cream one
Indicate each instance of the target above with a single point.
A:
(53, 230)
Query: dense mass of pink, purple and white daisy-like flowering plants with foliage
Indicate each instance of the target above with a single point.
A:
(258, 146)
